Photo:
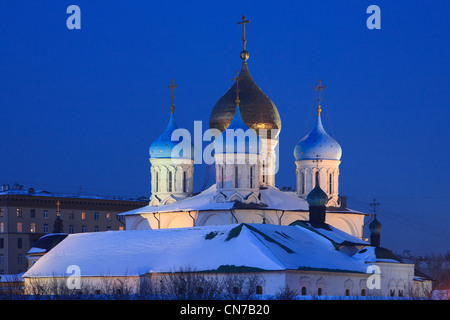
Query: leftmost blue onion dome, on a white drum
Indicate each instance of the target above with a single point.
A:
(162, 147)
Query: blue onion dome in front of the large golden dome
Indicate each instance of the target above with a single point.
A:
(237, 137)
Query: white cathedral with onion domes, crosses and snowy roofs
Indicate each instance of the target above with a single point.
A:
(307, 240)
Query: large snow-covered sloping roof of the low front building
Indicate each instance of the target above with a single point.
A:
(206, 248)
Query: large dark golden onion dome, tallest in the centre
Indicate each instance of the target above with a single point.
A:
(257, 110)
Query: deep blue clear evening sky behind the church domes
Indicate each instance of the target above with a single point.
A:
(81, 107)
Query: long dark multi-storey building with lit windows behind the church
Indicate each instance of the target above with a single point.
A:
(27, 215)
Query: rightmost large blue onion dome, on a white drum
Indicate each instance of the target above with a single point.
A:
(318, 144)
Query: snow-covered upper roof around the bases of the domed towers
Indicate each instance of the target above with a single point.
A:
(271, 199)
